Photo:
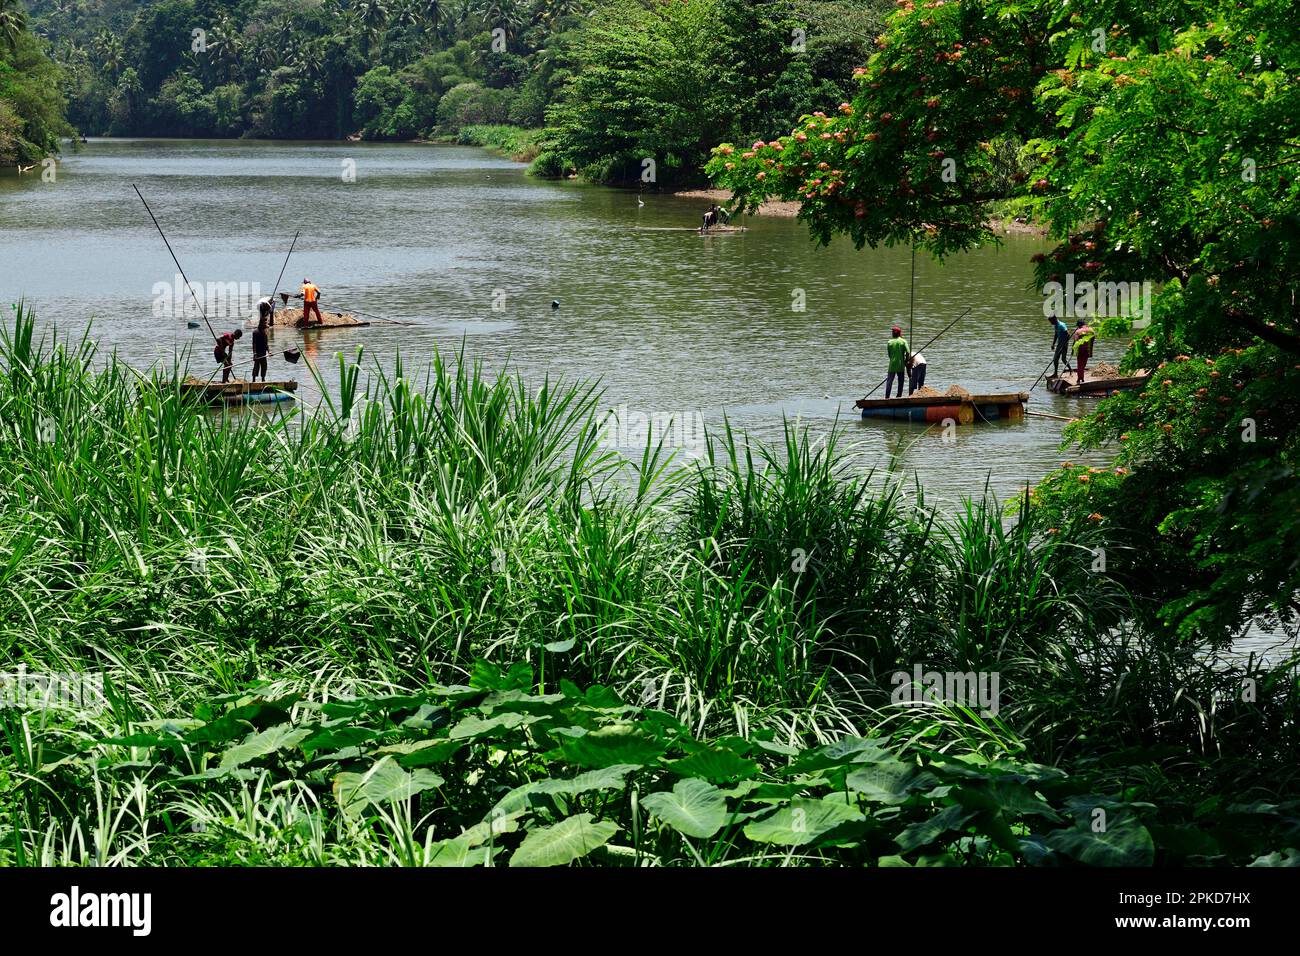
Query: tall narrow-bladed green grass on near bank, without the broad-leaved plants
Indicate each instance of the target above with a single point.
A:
(409, 529)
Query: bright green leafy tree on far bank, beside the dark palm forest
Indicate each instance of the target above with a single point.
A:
(669, 81)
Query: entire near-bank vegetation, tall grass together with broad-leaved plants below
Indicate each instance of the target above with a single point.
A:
(439, 622)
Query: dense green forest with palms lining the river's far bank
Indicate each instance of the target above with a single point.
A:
(605, 85)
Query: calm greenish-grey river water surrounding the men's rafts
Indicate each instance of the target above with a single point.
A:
(466, 249)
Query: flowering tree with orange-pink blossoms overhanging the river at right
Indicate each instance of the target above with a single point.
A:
(1159, 142)
